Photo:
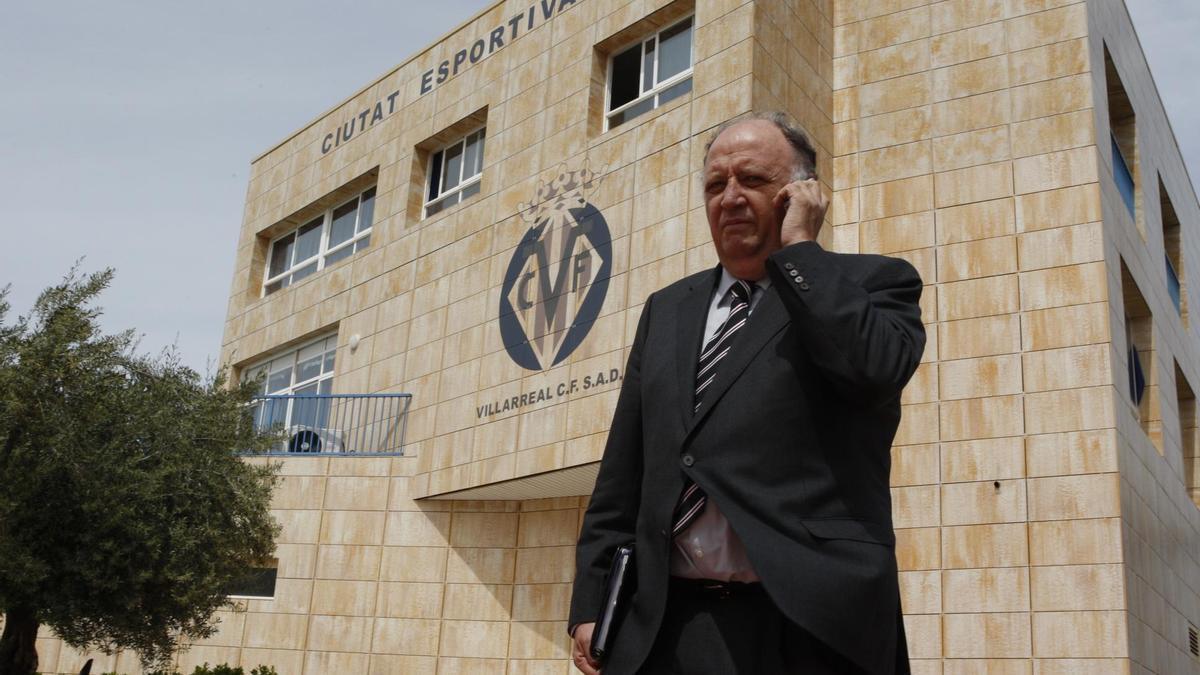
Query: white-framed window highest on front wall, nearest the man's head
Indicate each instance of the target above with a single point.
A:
(650, 74)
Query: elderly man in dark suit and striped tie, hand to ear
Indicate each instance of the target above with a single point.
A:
(749, 453)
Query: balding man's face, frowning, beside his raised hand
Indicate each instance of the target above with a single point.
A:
(748, 165)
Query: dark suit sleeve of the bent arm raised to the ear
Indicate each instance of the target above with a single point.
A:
(863, 330)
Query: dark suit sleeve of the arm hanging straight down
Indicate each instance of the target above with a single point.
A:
(611, 518)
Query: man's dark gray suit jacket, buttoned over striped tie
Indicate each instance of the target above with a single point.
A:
(793, 441)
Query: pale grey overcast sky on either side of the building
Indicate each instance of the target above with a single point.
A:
(128, 130)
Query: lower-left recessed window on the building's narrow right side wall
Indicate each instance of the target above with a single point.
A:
(1143, 381)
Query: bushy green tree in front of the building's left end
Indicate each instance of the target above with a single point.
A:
(124, 511)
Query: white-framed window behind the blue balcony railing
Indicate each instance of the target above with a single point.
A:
(307, 372)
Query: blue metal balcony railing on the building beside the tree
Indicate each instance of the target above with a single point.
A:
(337, 425)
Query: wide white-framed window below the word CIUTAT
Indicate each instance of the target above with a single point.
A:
(333, 236)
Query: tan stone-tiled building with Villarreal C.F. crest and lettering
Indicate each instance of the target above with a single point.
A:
(479, 229)
